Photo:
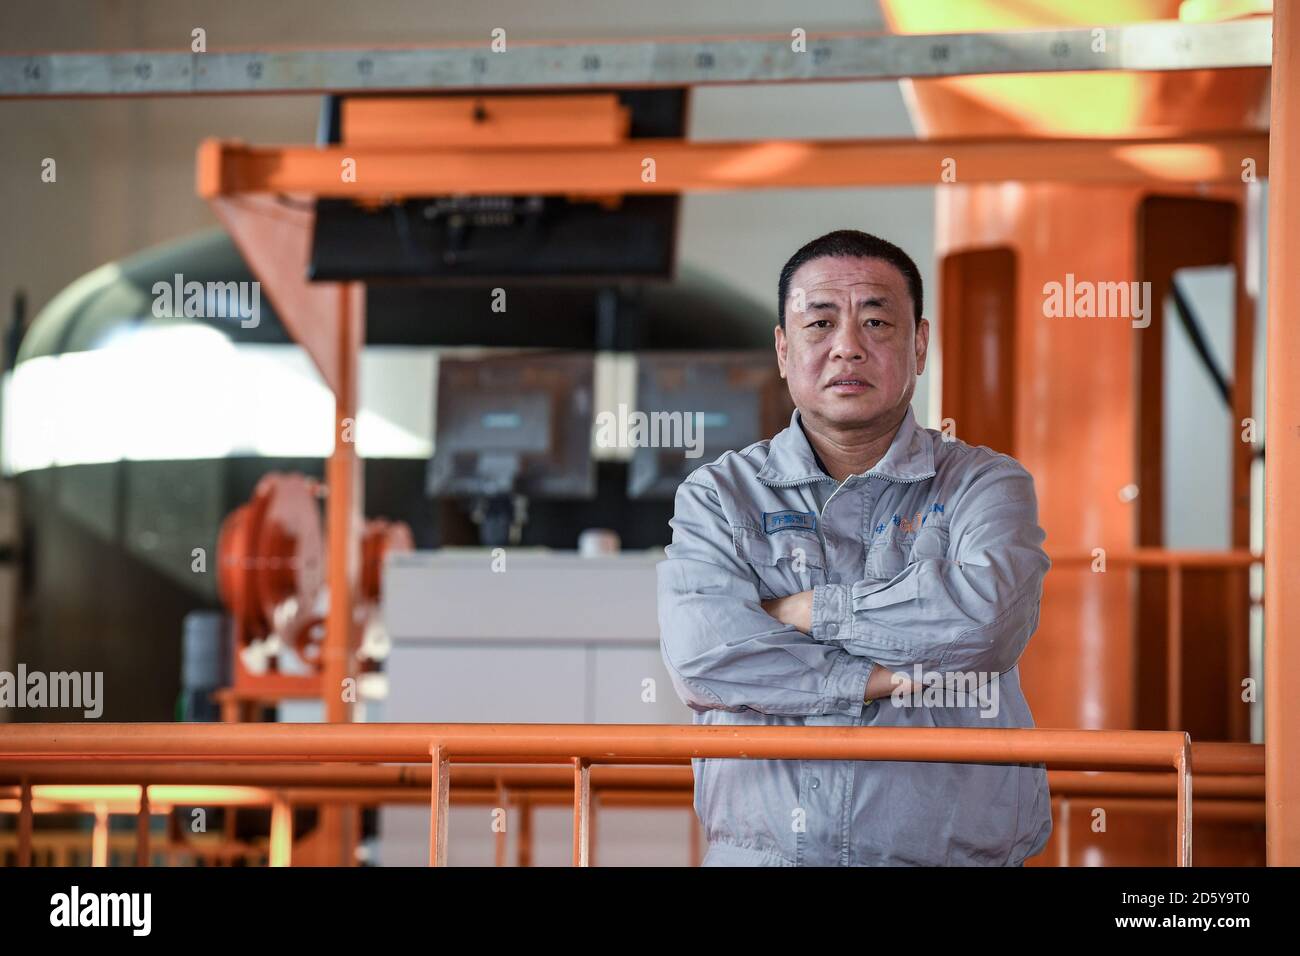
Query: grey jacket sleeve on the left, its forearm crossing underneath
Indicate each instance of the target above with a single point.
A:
(722, 650)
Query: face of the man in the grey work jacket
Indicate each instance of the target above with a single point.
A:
(852, 356)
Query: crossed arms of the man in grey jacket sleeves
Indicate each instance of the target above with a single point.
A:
(968, 605)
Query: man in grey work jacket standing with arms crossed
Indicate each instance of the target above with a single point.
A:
(857, 570)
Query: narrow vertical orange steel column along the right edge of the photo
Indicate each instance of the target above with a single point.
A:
(1282, 466)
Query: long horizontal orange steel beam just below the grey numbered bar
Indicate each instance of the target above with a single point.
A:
(228, 168)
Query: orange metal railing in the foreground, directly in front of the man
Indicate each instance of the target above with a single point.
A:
(586, 746)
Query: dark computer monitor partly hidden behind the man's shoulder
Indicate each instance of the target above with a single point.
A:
(736, 399)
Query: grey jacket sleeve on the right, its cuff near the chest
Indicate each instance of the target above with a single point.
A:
(965, 603)
